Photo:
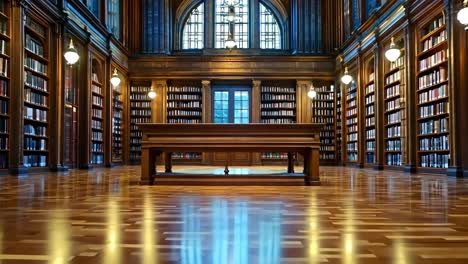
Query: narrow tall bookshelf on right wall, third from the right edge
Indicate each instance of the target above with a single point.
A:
(370, 115)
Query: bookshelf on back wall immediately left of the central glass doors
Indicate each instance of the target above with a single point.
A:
(185, 106)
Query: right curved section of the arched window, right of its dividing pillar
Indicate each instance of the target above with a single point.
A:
(270, 34)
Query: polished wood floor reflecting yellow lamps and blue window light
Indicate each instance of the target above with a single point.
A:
(356, 216)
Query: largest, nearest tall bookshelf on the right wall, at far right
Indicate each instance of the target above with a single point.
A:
(432, 96)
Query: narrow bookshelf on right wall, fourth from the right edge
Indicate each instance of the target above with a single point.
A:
(351, 117)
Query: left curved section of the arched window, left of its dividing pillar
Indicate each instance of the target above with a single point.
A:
(193, 32)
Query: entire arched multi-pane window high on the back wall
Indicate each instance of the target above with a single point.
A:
(269, 33)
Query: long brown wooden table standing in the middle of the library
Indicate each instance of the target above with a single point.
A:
(160, 138)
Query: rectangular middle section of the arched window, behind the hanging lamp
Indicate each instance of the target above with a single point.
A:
(241, 27)
